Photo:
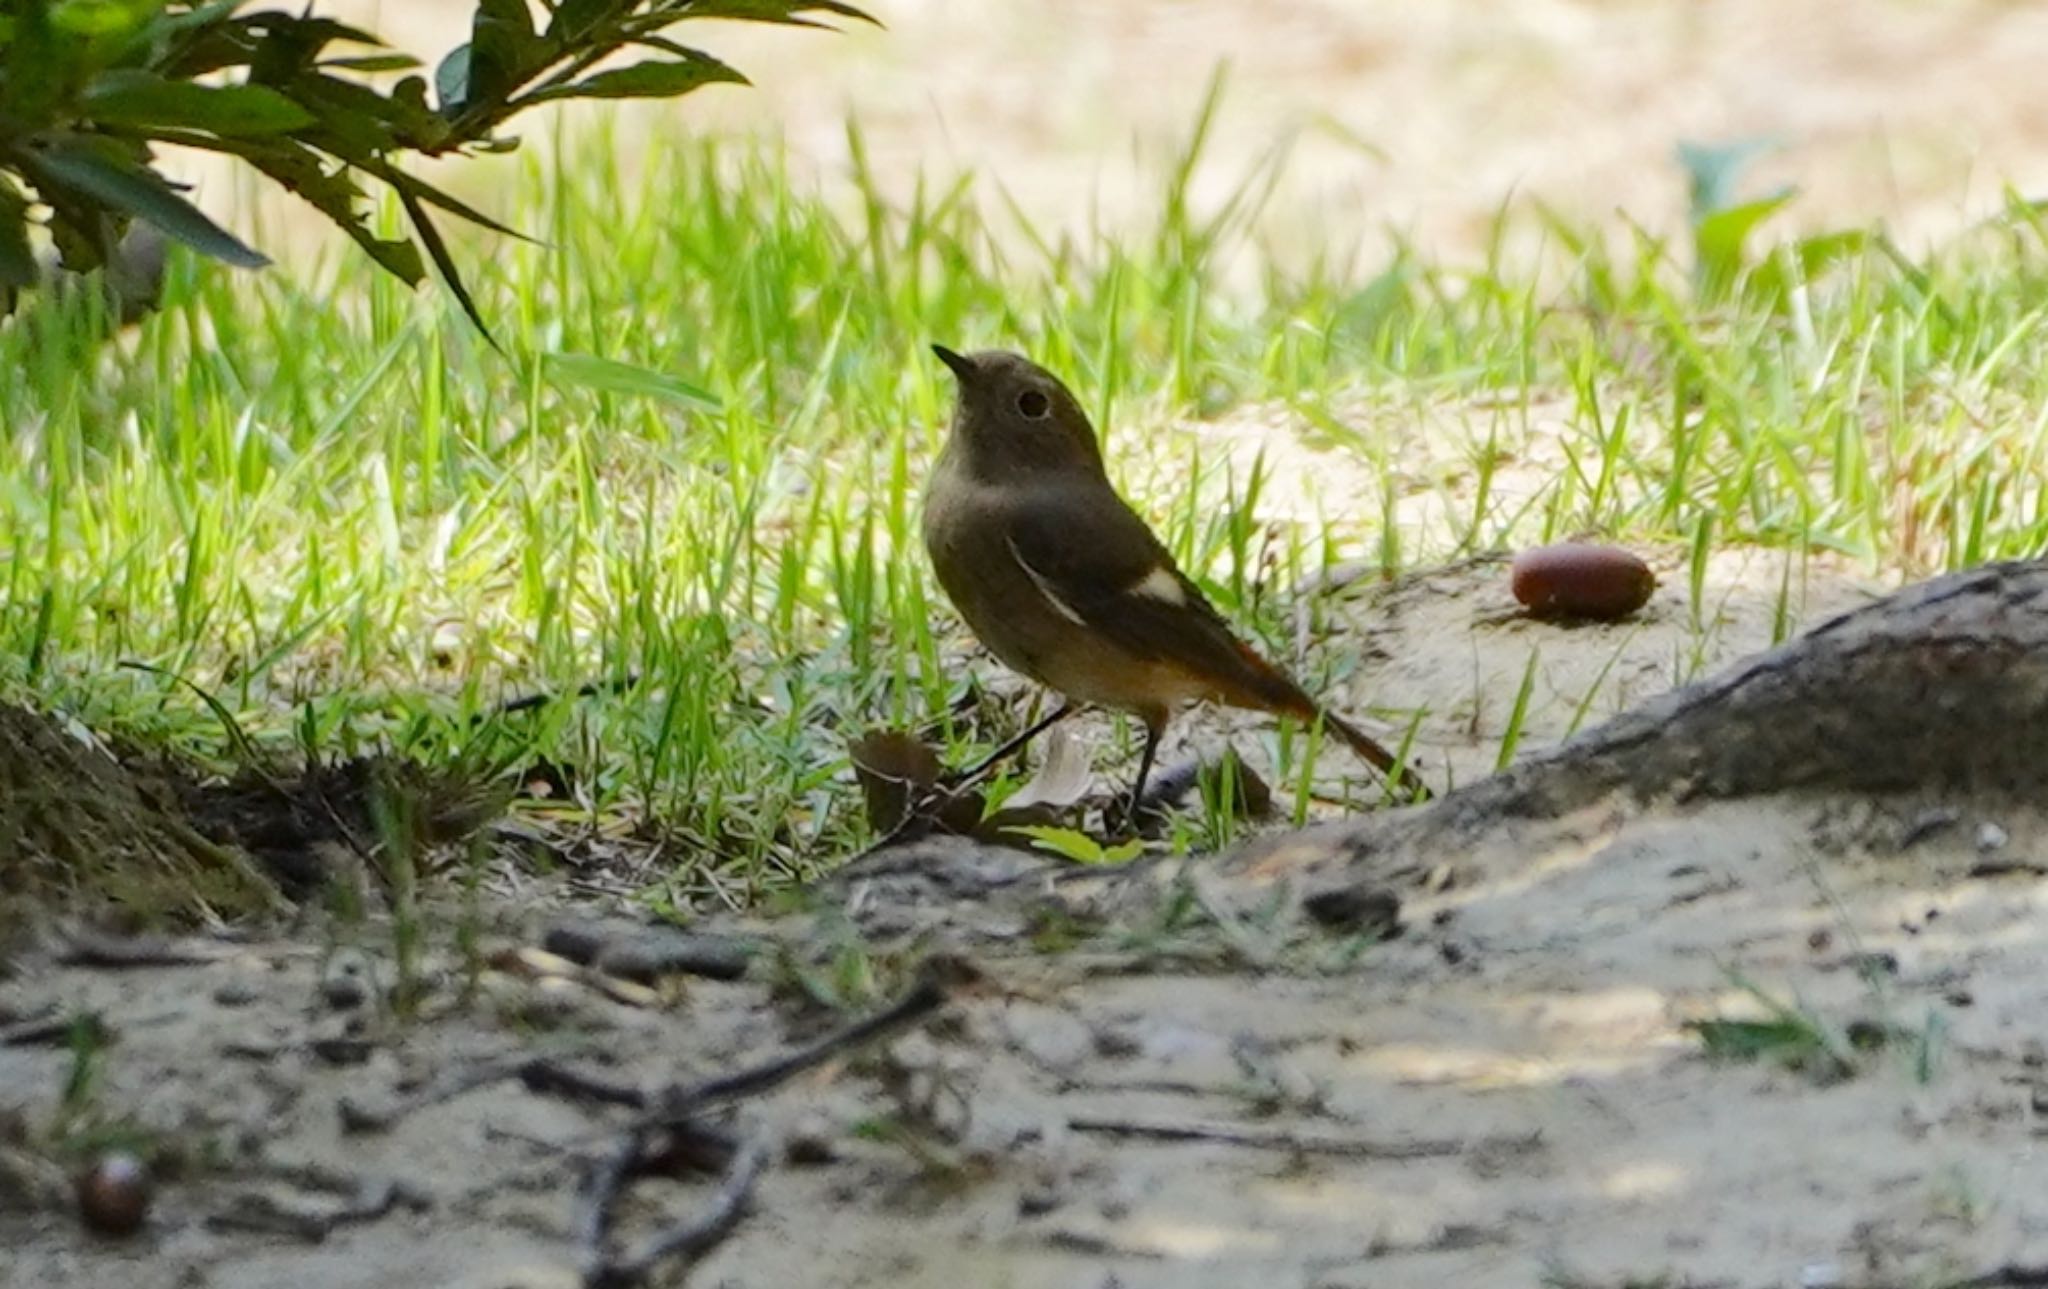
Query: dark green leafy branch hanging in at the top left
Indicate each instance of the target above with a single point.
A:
(89, 89)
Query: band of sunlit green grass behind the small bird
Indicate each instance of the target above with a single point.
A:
(339, 511)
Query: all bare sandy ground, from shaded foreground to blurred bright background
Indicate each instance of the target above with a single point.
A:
(1506, 1093)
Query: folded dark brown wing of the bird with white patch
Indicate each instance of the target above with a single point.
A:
(1099, 565)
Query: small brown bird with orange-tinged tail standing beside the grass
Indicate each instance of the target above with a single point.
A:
(1064, 583)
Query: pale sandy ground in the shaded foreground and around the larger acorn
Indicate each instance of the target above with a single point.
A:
(1500, 1095)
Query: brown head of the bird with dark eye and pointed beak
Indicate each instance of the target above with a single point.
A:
(1017, 417)
